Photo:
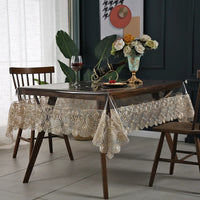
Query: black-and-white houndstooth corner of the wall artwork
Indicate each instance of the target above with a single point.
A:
(108, 5)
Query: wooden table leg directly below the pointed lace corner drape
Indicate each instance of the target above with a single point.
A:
(104, 175)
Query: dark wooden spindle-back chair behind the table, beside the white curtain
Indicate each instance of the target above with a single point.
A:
(32, 76)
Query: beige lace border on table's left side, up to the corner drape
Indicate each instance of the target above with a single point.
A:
(68, 116)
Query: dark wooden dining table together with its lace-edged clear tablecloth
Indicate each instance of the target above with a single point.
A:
(107, 112)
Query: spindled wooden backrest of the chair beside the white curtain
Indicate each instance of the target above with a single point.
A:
(31, 76)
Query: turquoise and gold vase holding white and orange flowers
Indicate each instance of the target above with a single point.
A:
(133, 49)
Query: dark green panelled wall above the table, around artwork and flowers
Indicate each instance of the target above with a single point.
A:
(174, 23)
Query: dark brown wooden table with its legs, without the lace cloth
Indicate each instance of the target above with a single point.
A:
(103, 96)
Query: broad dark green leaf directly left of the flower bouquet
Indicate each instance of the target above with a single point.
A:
(104, 47)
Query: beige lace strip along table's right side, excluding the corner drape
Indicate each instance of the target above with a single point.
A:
(144, 115)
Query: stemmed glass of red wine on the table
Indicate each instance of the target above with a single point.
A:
(76, 65)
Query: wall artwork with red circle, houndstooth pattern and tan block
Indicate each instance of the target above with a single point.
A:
(121, 17)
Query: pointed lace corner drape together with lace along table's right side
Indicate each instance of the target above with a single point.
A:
(126, 119)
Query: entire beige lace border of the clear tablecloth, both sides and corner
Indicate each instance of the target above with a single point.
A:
(82, 117)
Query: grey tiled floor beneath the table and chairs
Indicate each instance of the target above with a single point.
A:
(55, 177)
